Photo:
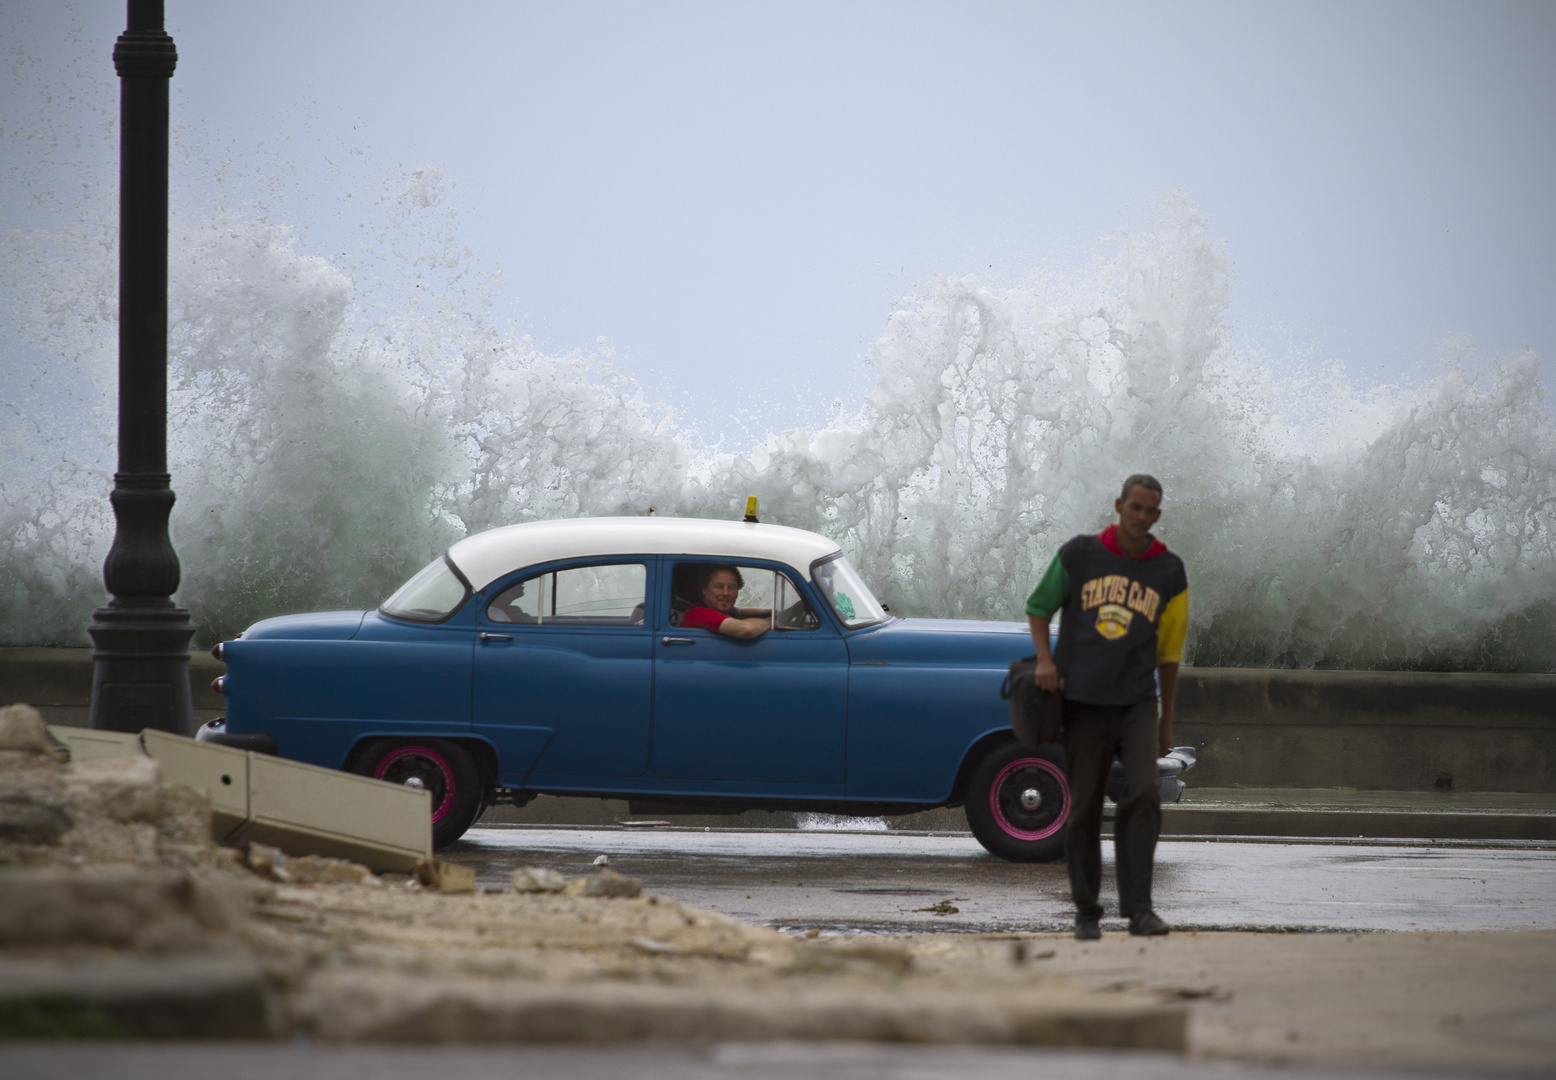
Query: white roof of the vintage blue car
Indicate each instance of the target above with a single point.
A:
(488, 556)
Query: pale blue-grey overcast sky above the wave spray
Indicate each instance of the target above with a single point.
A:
(735, 194)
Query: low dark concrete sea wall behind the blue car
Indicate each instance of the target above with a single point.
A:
(1372, 731)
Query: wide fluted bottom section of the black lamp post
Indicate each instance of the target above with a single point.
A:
(141, 673)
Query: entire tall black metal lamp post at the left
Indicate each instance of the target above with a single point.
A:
(141, 673)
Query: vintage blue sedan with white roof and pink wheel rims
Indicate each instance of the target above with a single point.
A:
(552, 659)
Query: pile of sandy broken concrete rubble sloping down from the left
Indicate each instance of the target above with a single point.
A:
(121, 914)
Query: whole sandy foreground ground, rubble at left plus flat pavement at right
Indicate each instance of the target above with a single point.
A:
(121, 916)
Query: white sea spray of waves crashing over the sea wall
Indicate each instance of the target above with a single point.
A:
(337, 421)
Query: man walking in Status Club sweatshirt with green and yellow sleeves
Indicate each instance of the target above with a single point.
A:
(1126, 609)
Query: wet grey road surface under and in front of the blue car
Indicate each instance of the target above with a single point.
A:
(906, 883)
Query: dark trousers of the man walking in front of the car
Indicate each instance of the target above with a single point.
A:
(1093, 734)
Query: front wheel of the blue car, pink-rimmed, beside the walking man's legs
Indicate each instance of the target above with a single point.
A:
(1018, 804)
